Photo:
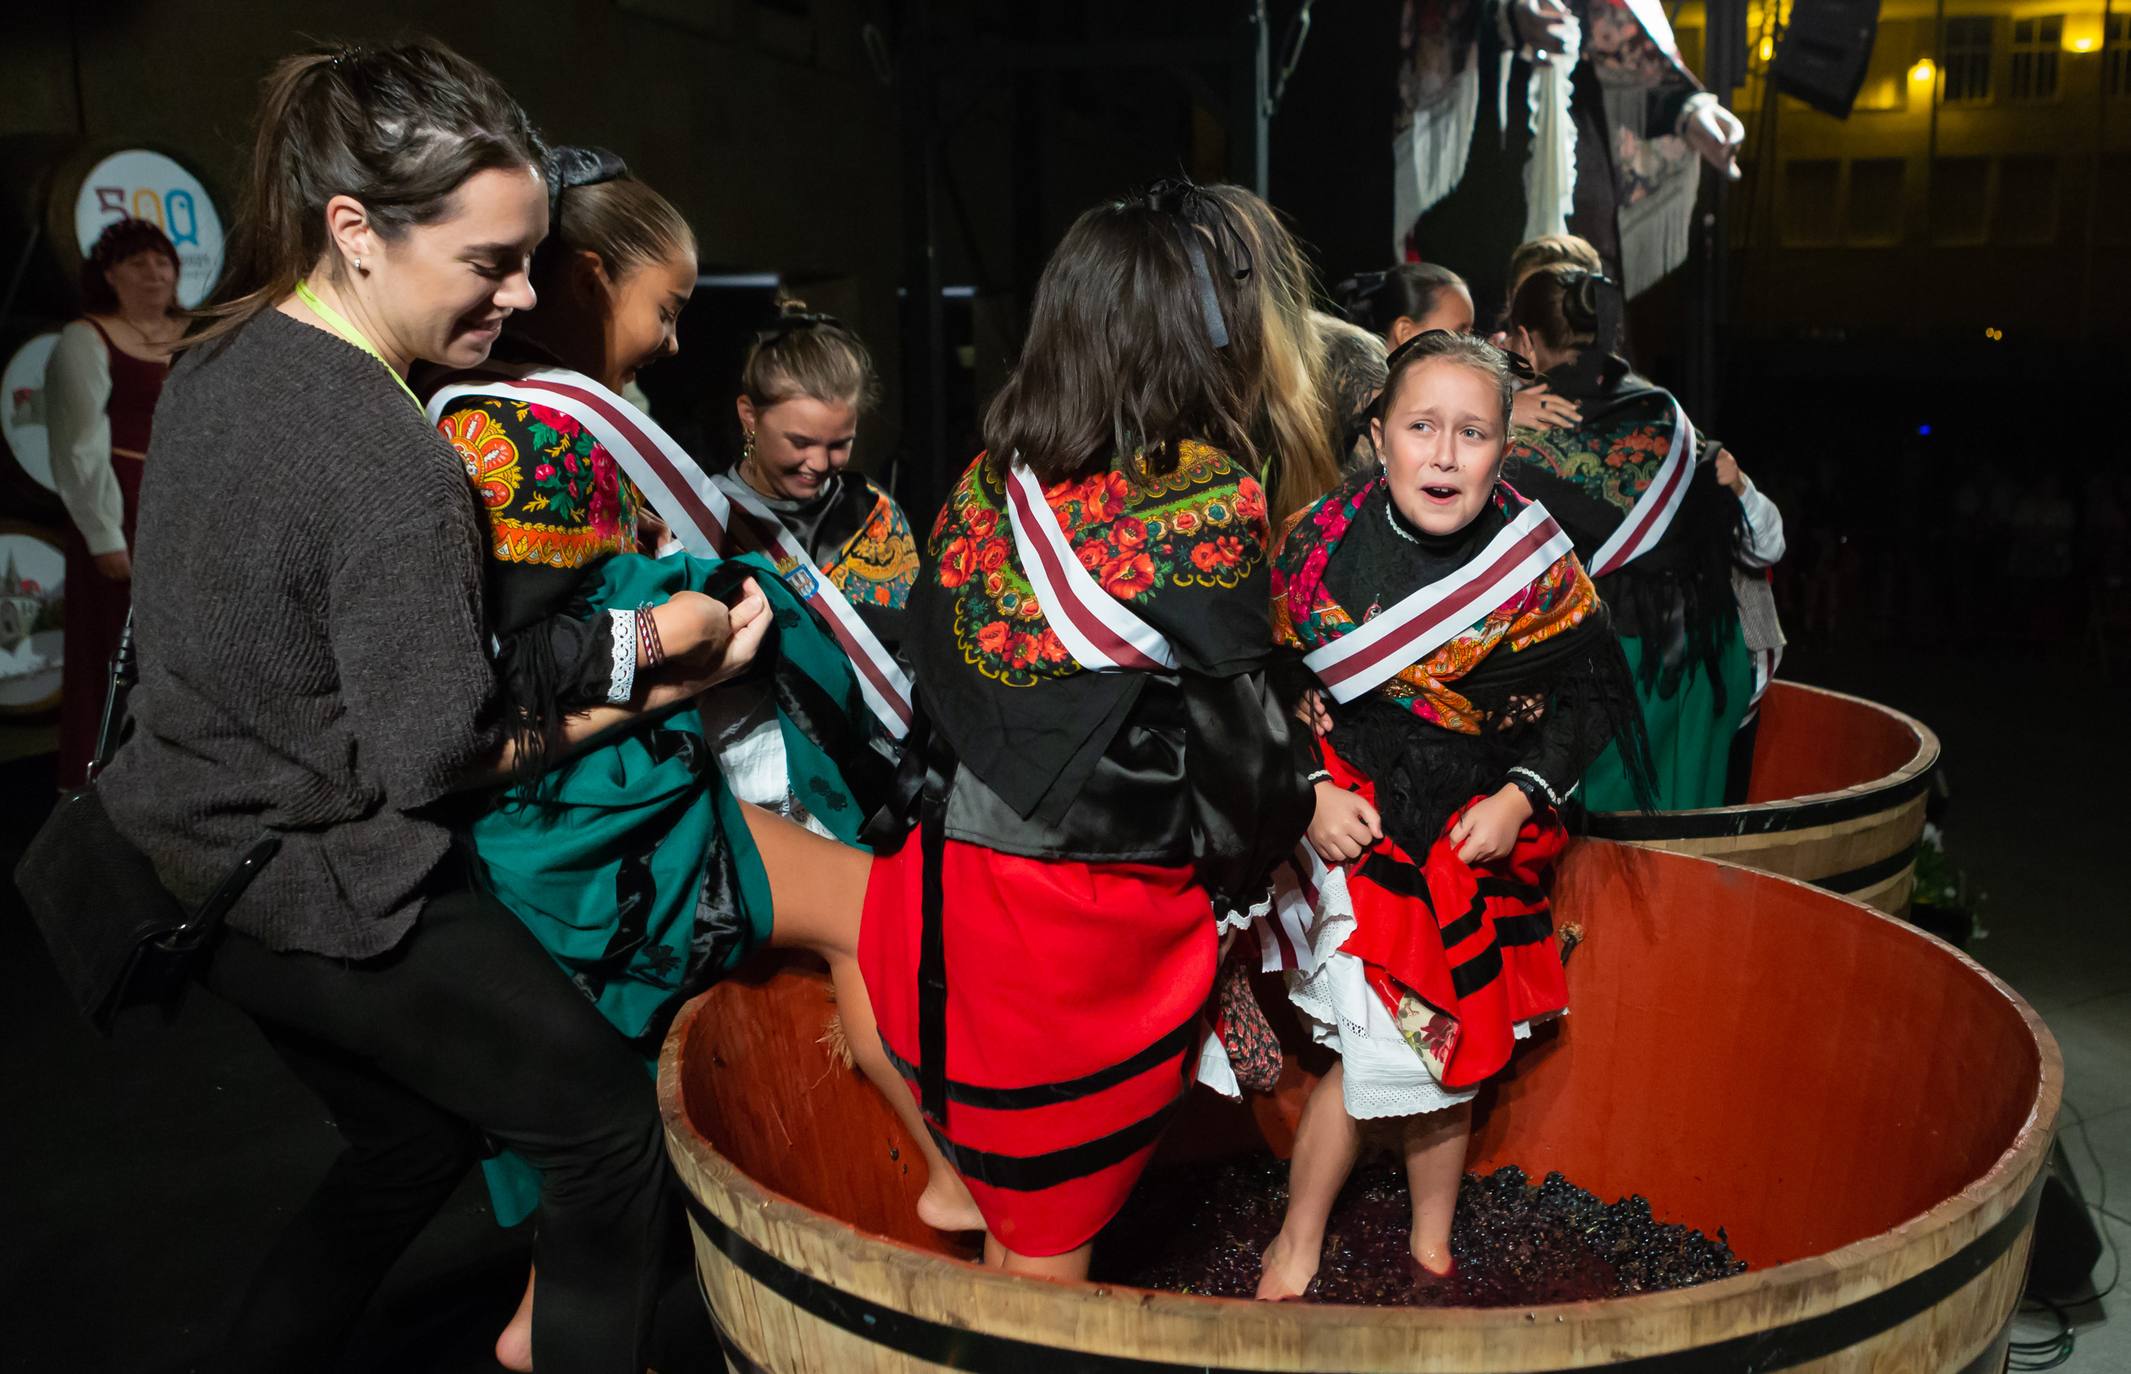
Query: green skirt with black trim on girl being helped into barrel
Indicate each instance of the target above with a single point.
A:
(606, 860)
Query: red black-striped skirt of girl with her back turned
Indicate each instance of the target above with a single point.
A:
(1075, 1013)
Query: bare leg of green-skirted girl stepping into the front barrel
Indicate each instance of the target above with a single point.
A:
(817, 889)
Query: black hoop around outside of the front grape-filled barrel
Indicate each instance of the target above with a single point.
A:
(964, 1350)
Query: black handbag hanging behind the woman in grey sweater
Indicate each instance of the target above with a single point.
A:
(116, 934)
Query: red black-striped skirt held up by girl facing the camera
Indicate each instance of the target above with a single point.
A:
(1471, 943)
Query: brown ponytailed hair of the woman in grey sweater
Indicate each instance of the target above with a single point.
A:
(400, 129)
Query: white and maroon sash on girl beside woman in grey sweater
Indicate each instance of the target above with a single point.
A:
(706, 521)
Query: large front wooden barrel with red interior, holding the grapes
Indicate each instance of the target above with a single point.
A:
(1861, 1107)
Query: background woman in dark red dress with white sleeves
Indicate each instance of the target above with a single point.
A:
(101, 391)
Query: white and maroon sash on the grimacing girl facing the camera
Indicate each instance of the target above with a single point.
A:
(1425, 621)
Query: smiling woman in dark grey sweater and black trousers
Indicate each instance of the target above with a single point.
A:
(314, 666)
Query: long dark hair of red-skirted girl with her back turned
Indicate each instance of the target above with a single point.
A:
(1120, 355)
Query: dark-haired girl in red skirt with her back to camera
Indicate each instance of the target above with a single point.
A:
(1107, 768)
